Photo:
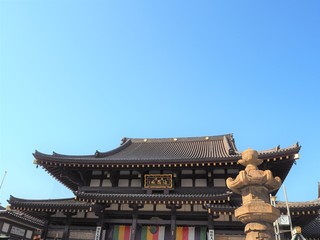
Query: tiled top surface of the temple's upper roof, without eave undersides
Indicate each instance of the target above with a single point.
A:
(164, 150)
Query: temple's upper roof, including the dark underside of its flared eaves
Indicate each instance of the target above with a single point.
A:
(136, 153)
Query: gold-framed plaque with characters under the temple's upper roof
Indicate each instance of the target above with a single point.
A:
(158, 181)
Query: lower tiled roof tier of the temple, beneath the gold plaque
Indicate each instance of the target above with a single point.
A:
(87, 201)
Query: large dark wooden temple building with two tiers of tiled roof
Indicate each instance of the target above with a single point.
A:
(166, 188)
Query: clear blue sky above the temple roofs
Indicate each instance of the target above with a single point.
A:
(78, 76)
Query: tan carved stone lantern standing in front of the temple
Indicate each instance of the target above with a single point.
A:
(254, 186)
